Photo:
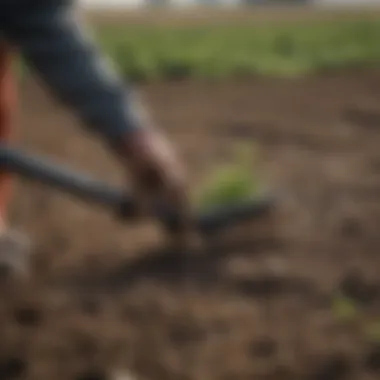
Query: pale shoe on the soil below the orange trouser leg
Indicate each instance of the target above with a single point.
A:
(15, 249)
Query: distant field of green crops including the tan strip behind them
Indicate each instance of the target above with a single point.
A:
(239, 44)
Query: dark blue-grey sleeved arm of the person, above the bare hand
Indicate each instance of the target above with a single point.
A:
(67, 61)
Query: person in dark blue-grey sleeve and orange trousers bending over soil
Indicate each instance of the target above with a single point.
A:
(60, 51)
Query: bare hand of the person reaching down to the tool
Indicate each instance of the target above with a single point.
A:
(157, 175)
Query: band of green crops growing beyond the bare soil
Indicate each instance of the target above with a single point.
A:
(146, 53)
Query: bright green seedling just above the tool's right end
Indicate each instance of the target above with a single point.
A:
(231, 183)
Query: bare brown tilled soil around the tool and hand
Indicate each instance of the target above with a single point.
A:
(102, 297)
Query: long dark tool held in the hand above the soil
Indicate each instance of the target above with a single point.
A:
(82, 186)
